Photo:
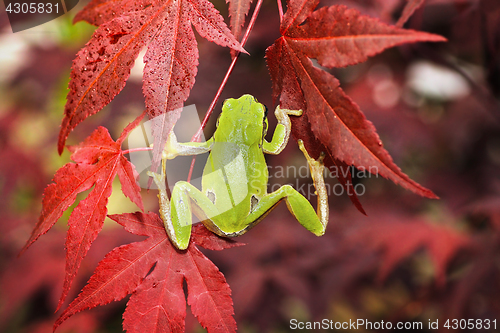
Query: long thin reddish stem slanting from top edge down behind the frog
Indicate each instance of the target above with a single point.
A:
(211, 108)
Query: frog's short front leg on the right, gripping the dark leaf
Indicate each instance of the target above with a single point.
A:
(282, 131)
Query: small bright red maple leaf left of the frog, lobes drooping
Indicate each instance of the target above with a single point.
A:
(98, 160)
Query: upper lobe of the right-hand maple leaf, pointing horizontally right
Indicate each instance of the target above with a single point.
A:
(337, 36)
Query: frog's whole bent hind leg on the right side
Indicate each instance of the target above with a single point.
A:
(297, 204)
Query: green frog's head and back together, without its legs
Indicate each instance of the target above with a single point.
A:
(236, 168)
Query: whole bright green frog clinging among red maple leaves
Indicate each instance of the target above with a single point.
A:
(234, 194)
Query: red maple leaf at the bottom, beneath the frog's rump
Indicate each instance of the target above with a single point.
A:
(153, 271)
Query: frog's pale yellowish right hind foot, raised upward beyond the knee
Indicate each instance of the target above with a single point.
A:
(317, 168)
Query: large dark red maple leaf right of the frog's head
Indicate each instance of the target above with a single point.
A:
(336, 37)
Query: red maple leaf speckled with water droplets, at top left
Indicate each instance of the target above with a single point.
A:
(101, 68)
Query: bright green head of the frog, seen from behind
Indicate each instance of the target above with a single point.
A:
(243, 119)
